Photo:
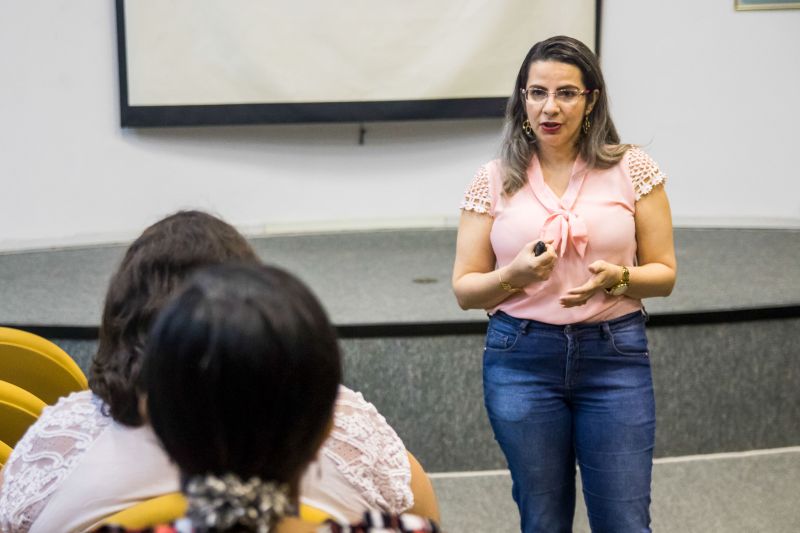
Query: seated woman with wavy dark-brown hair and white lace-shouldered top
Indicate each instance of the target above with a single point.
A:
(90, 455)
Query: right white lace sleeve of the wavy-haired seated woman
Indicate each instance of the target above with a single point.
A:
(369, 454)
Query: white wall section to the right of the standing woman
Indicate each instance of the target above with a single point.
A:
(713, 93)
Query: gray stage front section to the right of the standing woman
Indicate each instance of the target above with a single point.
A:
(726, 387)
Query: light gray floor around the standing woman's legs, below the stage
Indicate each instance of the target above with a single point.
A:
(746, 492)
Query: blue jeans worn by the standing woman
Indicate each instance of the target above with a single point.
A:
(560, 394)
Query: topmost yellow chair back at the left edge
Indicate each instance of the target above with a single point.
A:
(38, 366)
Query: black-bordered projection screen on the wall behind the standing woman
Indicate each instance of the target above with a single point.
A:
(194, 62)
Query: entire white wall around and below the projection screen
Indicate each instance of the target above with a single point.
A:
(707, 89)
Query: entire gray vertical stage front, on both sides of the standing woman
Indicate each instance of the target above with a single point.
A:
(721, 387)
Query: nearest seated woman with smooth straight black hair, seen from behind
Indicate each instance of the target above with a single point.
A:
(241, 375)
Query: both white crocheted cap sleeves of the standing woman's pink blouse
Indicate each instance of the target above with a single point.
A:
(643, 171)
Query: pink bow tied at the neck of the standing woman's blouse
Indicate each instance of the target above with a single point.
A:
(563, 225)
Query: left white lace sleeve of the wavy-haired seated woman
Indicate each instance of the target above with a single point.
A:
(46, 455)
